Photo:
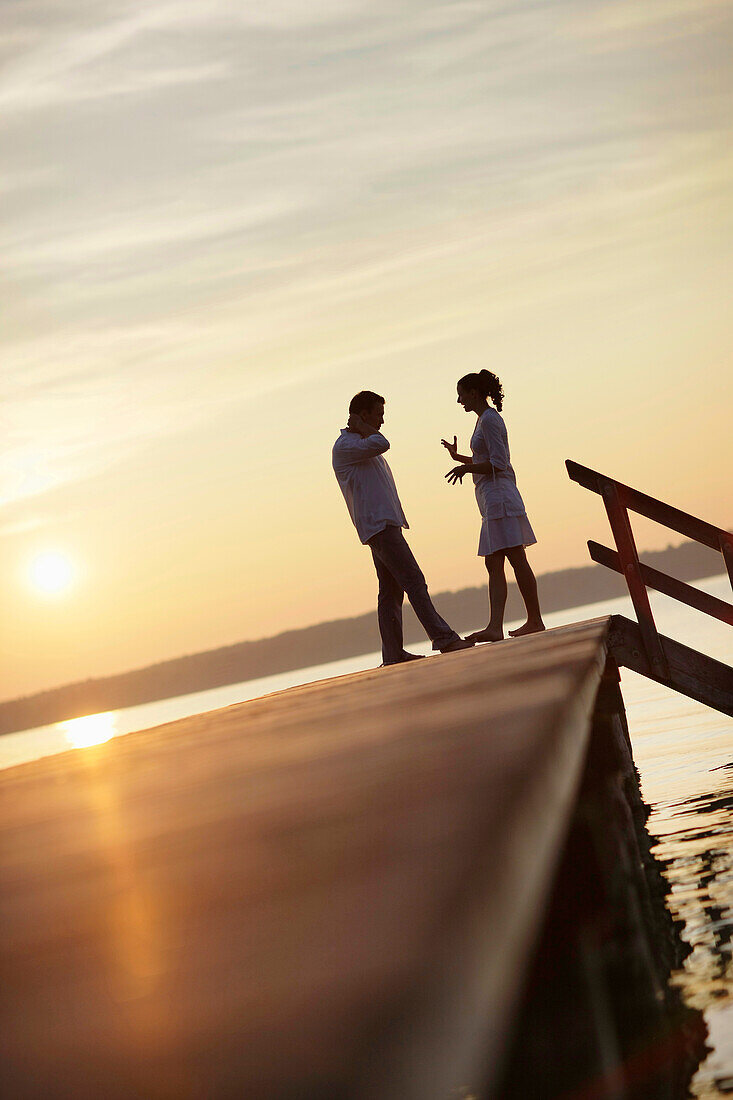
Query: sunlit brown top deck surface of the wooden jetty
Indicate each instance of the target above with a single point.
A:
(329, 893)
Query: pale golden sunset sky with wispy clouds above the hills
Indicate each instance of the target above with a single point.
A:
(220, 222)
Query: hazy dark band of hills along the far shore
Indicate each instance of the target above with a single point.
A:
(327, 642)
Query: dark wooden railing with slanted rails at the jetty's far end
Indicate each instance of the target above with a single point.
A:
(620, 500)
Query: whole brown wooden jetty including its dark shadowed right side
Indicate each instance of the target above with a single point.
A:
(422, 883)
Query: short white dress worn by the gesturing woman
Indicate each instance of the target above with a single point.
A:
(504, 516)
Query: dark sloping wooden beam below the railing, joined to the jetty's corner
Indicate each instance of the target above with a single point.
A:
(693, 674)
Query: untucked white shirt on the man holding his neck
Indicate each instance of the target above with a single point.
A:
(367, 483)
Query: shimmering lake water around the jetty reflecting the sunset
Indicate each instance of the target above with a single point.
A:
(685, 756)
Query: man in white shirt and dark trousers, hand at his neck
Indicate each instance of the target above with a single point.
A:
(373, 501)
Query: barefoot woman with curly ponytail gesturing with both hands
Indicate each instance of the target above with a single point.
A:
(506, 530)
